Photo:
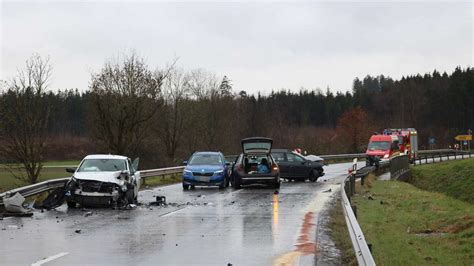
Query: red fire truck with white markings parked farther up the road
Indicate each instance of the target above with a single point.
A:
(390, 143)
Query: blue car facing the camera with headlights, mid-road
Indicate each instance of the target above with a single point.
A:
(206, 169)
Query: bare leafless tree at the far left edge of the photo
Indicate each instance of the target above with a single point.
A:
(24, 118)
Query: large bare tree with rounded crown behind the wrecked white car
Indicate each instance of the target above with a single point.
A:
(125, 97)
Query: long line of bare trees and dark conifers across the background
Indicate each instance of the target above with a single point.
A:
(164, 115)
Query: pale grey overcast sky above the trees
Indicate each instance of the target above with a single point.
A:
(259, 46)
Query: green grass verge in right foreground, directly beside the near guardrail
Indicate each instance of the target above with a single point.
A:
(397, 220)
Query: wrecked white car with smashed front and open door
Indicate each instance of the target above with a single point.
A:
(103, 180)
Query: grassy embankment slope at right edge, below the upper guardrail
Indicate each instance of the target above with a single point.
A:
(454, 178)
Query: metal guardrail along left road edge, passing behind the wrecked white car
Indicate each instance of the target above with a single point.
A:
(44, 186)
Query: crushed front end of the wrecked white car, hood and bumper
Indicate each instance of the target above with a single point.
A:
(111, 189)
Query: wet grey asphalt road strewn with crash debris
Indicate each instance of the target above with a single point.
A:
(206, 226)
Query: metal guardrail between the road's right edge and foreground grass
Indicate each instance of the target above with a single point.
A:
(362, 251)
